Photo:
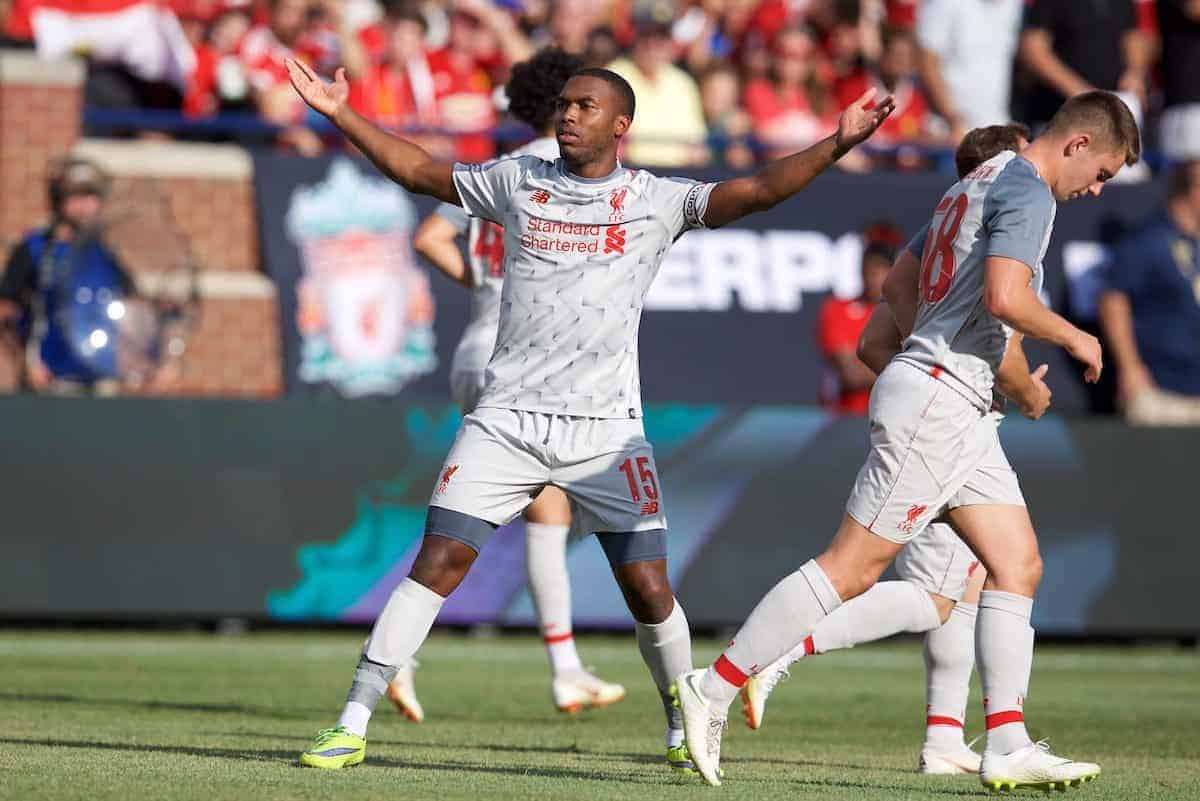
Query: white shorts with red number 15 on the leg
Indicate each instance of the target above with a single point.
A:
(503, 457)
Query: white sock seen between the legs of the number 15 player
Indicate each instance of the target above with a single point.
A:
(551, 591)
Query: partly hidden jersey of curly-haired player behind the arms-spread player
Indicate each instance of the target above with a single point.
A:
(485, 260)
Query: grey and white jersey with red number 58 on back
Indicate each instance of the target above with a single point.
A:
(1003, 209)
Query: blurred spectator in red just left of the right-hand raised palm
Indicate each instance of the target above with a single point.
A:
(794, 109)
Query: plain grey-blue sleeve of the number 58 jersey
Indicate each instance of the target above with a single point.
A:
(1017, 215)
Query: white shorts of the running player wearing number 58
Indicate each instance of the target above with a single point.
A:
(932, 450)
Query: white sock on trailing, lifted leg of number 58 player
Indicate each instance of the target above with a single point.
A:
(784, 618)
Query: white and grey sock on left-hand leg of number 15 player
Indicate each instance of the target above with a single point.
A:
(399, 631)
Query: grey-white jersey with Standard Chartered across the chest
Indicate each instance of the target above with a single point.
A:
(579, 257)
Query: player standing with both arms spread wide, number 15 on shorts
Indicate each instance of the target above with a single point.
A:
(584, 239)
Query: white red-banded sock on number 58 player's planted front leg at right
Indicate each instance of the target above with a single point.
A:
(1005, 651)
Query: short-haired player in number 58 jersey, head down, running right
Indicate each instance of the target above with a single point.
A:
(934, 449)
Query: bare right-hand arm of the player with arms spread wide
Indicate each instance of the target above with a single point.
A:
(784, 178)
